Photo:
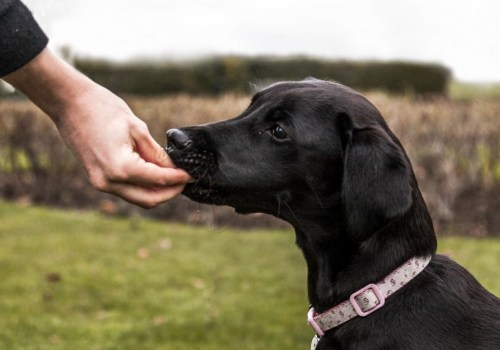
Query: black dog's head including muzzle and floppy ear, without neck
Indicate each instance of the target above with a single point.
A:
(300, 150)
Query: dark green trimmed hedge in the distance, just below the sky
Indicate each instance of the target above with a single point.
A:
(216, 75)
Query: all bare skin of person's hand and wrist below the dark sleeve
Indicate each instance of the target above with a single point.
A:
(115, 147)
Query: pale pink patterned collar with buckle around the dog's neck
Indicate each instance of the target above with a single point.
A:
(368, 299)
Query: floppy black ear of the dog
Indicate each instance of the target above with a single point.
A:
(376, 182)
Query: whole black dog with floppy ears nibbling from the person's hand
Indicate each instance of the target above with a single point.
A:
(320, 156)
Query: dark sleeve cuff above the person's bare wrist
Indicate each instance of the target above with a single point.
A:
(21, 39)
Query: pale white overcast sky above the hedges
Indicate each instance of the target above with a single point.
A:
(463, 35)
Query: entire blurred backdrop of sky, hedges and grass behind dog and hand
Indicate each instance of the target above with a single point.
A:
(431, 67)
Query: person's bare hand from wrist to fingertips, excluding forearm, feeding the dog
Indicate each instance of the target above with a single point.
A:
(117, 150)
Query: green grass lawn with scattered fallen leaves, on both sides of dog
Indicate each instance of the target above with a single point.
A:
(72, 280)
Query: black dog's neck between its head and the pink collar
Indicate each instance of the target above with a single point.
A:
(338, 266)
